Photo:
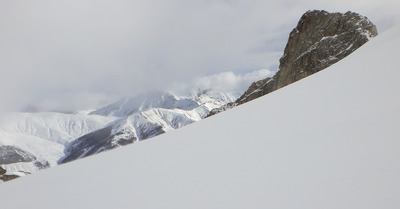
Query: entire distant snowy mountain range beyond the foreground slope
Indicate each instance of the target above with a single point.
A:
(33, 141)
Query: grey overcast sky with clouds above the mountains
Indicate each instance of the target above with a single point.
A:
(73, 53)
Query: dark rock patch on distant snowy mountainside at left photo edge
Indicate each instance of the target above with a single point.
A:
(11, 154)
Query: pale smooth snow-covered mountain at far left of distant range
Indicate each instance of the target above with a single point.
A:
(32, 141)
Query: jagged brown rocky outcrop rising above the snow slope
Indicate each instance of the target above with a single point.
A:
(319, 40)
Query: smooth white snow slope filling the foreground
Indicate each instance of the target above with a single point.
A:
(330, 140)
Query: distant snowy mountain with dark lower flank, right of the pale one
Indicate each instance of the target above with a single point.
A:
(144, 117)
